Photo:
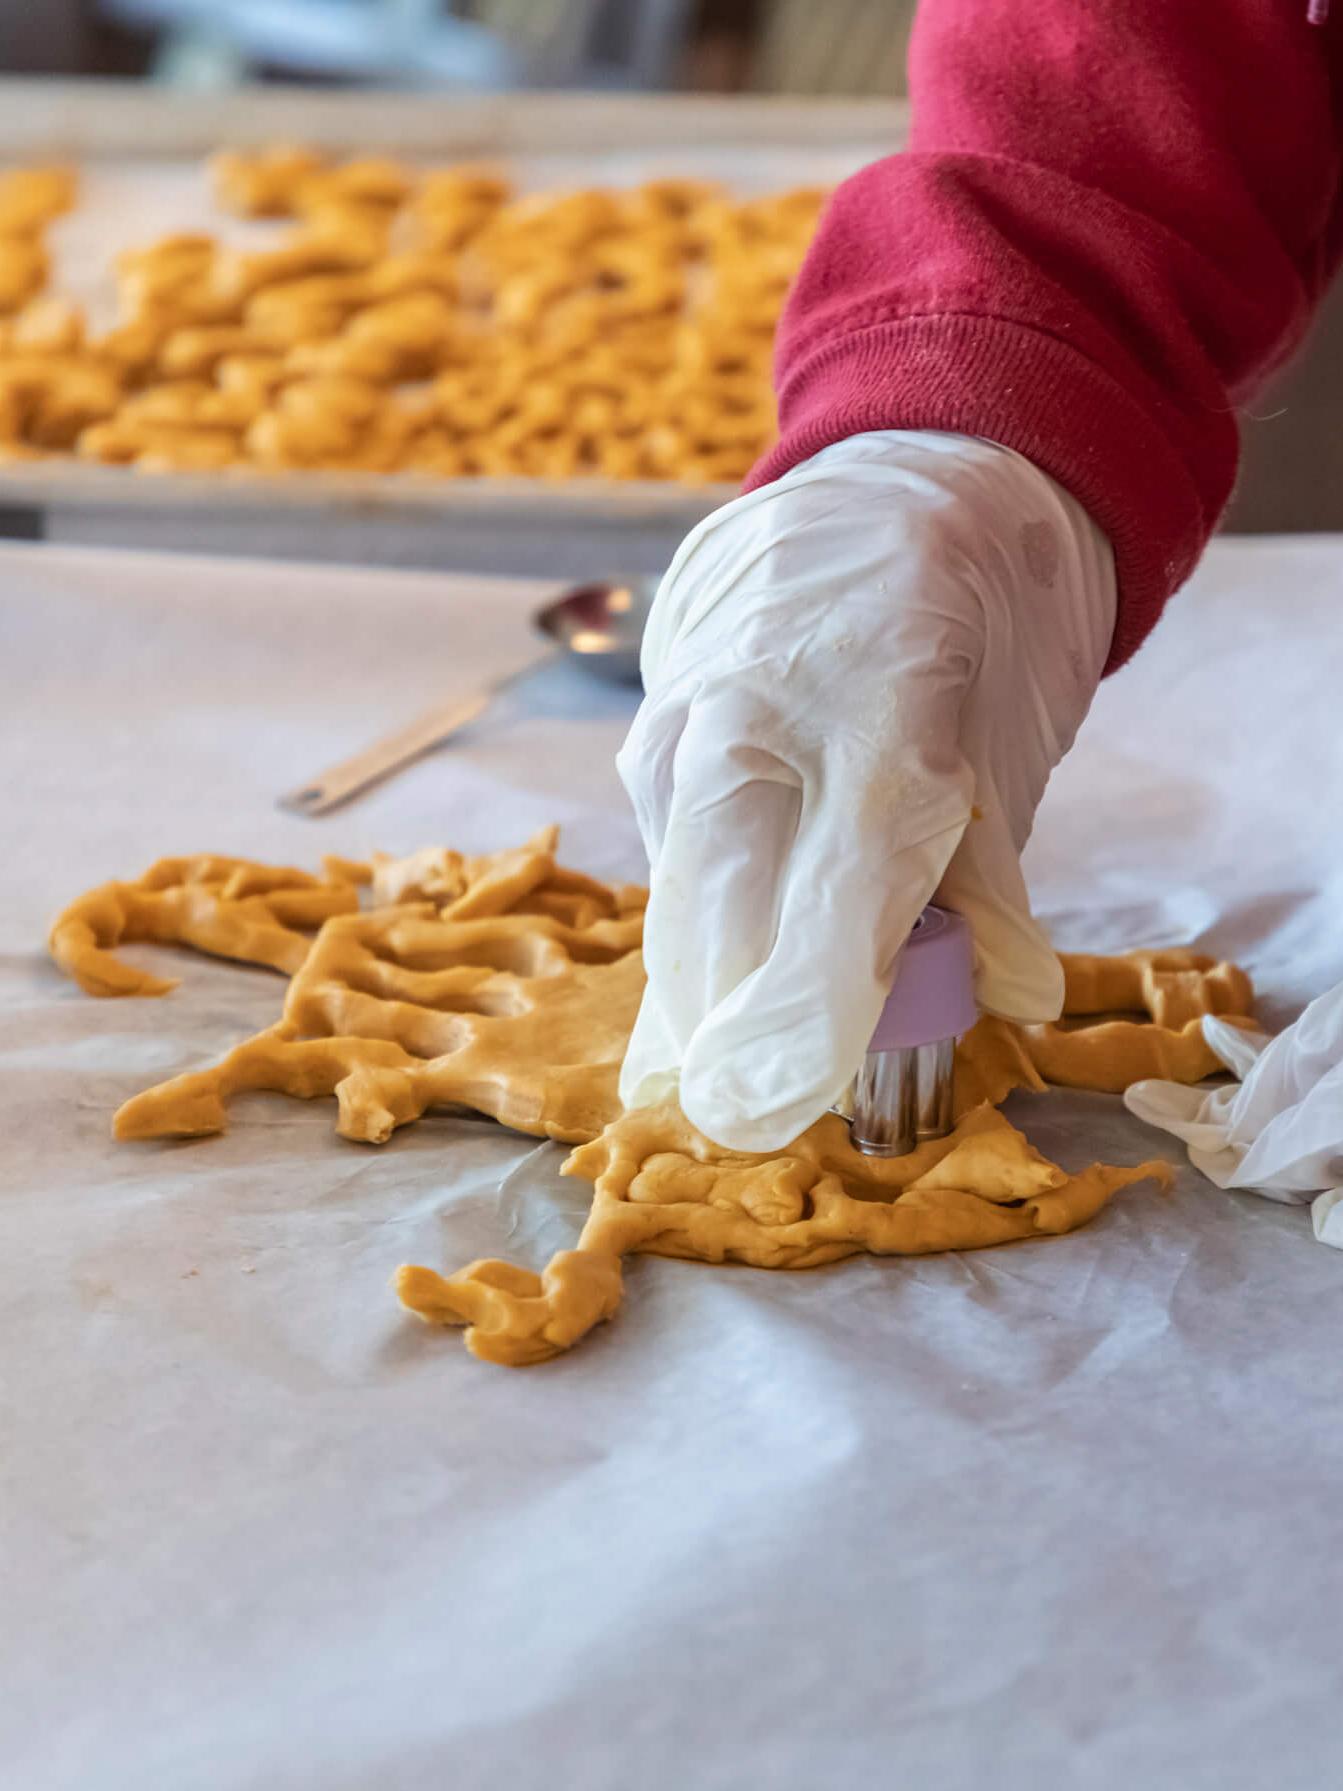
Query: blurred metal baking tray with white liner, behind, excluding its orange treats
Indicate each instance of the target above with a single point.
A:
(141, 153)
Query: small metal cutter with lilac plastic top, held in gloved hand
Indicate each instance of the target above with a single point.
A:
(903, 1092)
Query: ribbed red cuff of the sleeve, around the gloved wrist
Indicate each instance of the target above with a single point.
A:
(1022, 390)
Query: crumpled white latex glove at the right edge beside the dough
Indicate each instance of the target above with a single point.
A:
(1279, 1131)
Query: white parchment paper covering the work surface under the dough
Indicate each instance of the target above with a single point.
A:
(1063, 1514)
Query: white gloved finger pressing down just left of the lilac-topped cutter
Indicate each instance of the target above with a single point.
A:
(776, 1052)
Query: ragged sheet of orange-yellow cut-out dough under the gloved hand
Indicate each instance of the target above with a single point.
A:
(509, 984)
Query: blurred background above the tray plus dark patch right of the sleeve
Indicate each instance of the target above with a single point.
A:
(1294, 450)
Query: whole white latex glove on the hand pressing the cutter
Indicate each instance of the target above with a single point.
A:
(841, 669)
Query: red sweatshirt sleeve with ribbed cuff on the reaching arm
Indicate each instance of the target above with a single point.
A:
(1113, 219)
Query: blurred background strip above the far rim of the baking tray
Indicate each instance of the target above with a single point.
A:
(710, 46)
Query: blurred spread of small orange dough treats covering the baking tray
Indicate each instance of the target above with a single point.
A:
(423, 321)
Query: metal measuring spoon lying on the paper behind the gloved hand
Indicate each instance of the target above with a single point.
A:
(597, 626)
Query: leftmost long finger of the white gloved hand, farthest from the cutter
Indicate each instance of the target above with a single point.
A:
(717, 887)
